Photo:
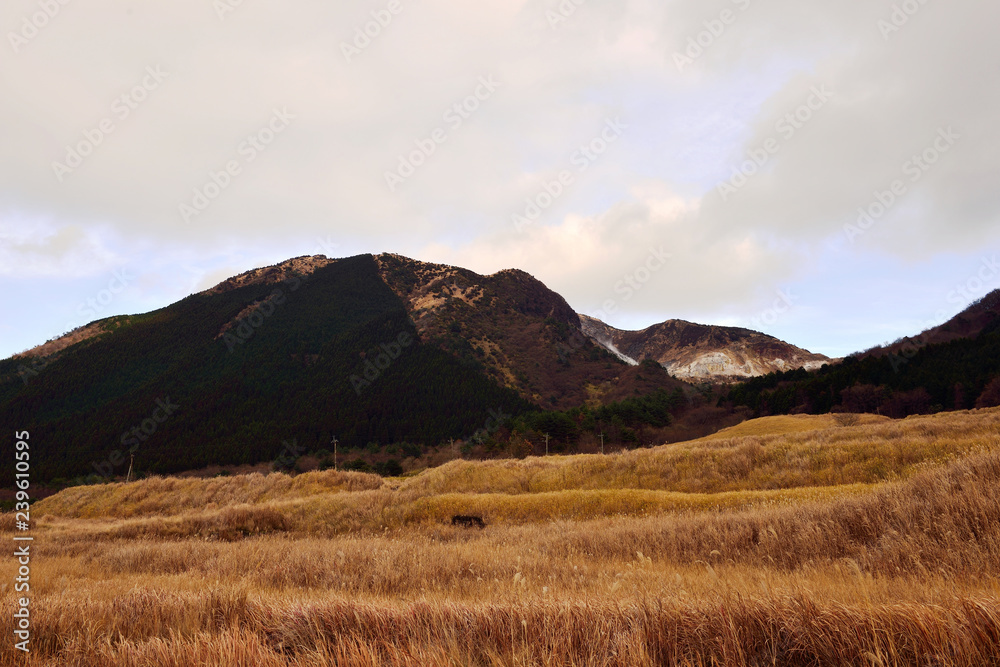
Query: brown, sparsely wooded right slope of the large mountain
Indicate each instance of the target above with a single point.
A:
(521, 334)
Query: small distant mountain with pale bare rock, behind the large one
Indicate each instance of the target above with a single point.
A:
(698, 352)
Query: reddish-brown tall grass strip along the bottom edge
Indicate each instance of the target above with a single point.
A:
(219, 629)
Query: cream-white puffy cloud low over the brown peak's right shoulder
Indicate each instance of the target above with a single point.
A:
(590, 260)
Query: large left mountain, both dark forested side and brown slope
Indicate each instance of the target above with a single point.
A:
(279, 360)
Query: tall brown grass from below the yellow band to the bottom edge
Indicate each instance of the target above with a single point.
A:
(823, 584)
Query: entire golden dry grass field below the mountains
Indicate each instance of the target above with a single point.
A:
(782, 541)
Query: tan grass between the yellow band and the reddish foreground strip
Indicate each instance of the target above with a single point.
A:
(941, 522)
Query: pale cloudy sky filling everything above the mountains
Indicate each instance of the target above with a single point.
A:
(823, 172)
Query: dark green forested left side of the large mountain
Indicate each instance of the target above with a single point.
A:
(276, 359)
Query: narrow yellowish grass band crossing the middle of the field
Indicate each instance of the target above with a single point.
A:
(379, 511)
